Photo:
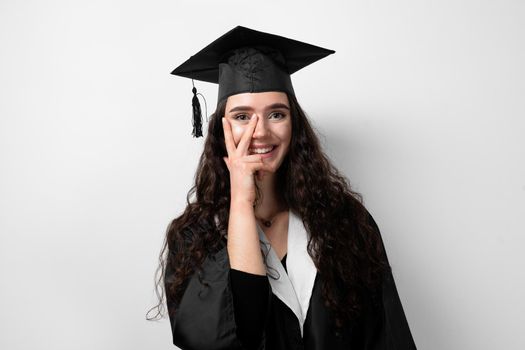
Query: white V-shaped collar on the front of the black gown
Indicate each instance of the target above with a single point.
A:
(295, 287)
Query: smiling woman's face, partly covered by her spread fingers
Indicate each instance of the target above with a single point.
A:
(273, 132)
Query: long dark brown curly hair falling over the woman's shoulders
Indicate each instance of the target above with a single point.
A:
(344, 243)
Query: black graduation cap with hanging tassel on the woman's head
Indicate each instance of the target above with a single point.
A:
(246, 60)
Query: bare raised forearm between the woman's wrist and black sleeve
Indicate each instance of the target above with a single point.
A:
(244, 249)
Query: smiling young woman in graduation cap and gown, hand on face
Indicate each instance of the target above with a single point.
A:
(274, 250)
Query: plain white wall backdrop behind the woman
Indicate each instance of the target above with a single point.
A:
(422, 107)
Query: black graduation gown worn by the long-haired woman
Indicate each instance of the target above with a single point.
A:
(206, 317)
